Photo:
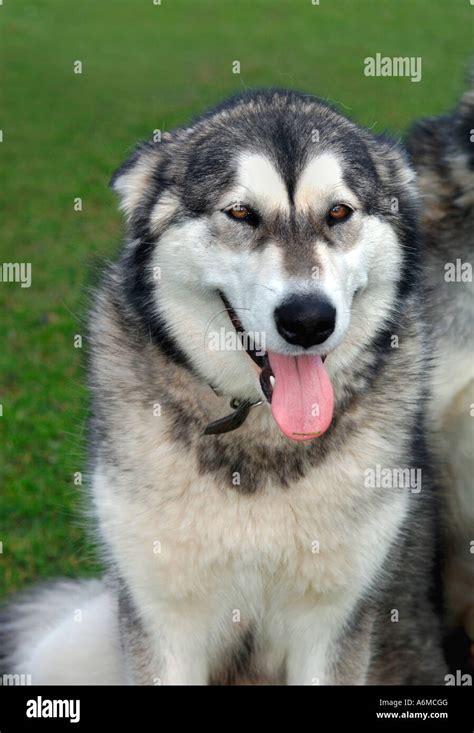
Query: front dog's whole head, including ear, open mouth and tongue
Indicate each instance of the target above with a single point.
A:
(275, 215)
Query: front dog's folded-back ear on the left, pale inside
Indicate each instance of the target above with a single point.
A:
(134, 178)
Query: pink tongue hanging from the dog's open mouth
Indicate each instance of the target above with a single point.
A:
(303, 400)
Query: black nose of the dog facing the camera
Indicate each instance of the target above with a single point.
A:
(305, 320)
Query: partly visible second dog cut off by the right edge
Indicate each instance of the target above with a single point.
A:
(442, 151)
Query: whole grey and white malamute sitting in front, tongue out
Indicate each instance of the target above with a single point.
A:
(259, 370)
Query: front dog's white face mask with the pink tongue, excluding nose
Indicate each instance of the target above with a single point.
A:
(212, 254)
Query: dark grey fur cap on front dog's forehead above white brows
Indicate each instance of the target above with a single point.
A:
(287, 128)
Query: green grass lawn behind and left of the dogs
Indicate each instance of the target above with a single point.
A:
(145, 67)
